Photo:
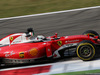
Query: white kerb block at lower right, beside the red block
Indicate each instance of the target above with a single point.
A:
(73, 67)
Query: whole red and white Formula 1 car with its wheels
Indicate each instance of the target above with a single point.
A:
(25, 48)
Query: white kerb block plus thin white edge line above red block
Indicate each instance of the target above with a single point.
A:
(66, 66)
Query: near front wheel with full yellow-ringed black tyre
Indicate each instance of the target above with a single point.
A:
(86, 50)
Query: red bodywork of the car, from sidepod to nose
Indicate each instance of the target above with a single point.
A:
(46, 48)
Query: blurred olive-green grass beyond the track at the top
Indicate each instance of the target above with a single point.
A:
(10, 8)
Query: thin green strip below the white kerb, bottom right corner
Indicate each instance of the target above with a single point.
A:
(90, 72)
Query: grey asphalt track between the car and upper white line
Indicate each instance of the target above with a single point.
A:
(67, 23)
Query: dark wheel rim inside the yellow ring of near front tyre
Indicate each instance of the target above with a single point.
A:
(85, 51)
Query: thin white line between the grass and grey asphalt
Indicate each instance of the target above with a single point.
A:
(50, 13)
